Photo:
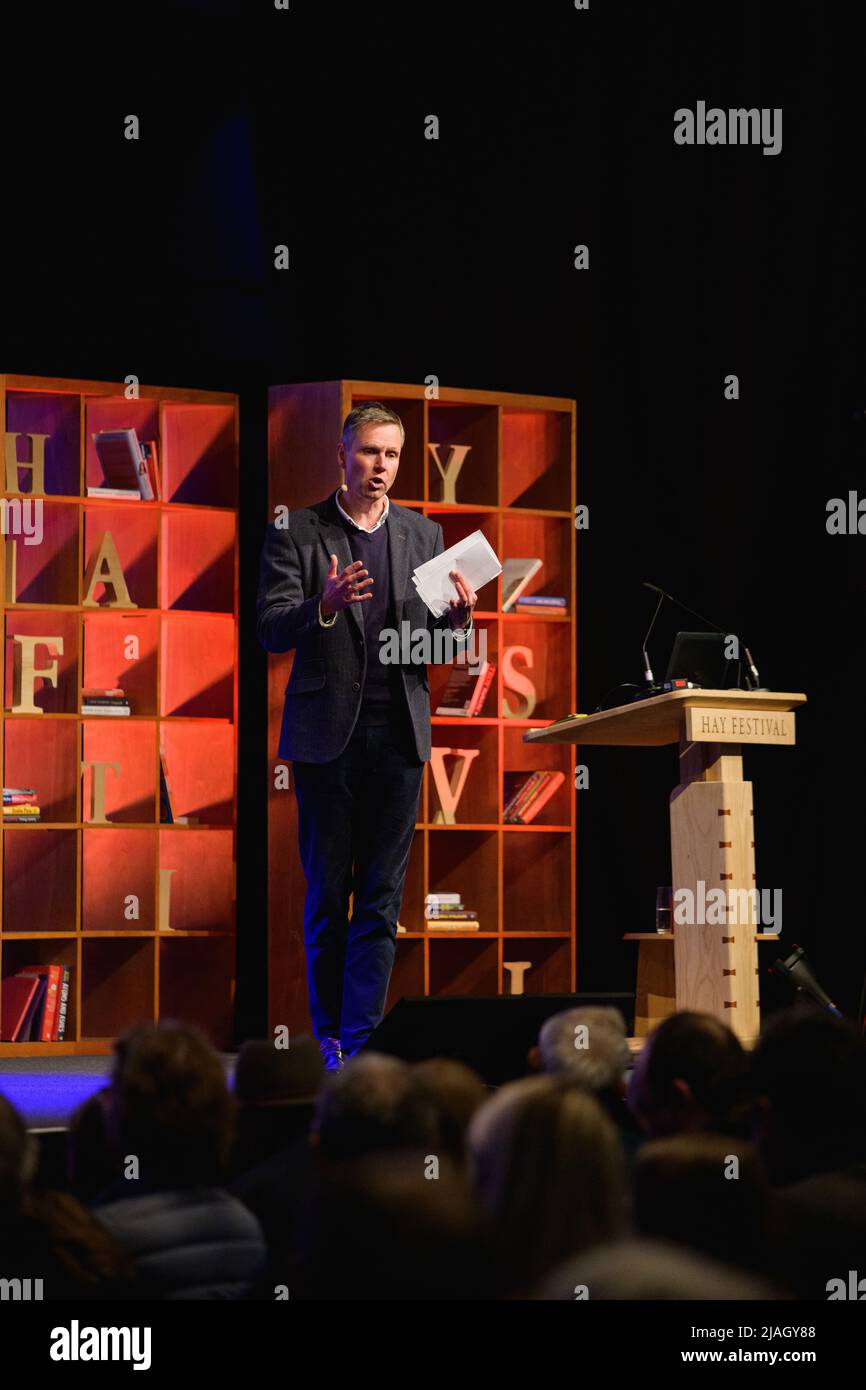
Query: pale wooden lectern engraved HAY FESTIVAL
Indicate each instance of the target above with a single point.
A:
(712, 843)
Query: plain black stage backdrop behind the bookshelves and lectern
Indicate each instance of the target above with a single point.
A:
(455, 258)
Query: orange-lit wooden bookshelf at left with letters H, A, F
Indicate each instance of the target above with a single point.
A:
(141, 911)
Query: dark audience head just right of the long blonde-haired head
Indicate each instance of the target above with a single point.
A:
(707, 1192)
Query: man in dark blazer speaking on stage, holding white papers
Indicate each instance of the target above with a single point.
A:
(336, 580)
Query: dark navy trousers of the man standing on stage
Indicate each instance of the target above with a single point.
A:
(357, 822)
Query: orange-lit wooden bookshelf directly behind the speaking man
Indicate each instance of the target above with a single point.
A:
(519, 487)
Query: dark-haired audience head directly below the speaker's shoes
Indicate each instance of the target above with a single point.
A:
(373, 1103)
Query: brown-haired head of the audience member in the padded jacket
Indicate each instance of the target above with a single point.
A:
(170, 1106)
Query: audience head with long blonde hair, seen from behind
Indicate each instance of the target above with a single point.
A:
(550, 1171)
